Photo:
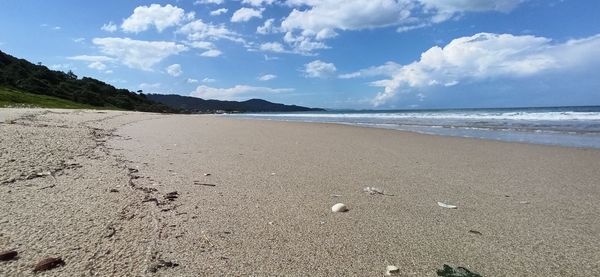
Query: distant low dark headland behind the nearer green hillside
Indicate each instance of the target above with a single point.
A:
(194, 104)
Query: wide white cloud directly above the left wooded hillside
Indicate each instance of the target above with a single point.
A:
(138, 53)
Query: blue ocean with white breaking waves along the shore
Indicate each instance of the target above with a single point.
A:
(564, 126)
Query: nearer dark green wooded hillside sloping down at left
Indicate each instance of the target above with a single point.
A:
(20, 75)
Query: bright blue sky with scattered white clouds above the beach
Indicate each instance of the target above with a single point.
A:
(369, 54)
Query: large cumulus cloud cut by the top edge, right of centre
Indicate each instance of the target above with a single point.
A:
(312, 21)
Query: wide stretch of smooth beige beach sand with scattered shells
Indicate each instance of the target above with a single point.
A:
(90, 187)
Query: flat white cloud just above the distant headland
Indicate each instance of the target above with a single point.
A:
(235, 93)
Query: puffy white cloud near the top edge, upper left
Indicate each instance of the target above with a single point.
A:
(161, 17)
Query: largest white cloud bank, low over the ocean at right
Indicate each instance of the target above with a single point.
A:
(483, 56)
